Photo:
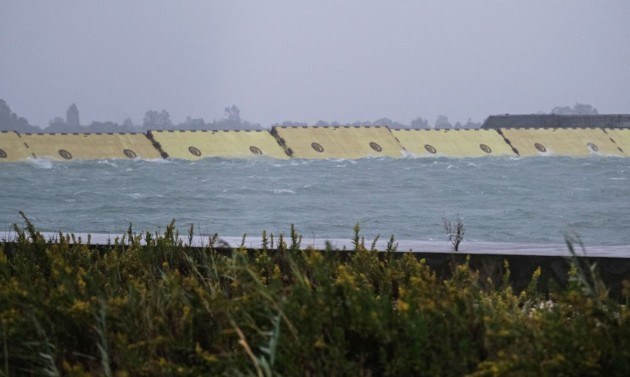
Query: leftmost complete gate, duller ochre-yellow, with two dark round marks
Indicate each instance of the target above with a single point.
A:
(64, 147)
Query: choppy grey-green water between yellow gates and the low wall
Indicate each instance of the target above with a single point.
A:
(498, 199)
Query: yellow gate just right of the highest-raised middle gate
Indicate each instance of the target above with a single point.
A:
(453, 143)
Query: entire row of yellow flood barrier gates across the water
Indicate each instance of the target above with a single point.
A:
(342, 142)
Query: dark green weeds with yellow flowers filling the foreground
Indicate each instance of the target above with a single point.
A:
(167, 309)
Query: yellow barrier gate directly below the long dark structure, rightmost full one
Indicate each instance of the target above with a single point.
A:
(577, 142)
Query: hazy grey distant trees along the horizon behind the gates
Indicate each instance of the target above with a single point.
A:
(161, 120)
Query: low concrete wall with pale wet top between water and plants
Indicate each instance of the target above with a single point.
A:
(491, 259)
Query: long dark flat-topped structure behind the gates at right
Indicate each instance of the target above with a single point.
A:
(557, 121)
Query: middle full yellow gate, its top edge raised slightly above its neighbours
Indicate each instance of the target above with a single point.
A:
(347, 142)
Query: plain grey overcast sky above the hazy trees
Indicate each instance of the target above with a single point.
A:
(310, 60)
